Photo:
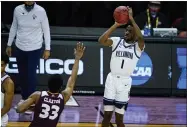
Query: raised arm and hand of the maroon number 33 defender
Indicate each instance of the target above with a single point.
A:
(79, 51)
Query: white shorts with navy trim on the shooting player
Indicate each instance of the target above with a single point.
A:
(116, 94)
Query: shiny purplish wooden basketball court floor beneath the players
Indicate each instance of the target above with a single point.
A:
(87, 111)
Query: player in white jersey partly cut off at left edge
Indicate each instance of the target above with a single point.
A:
(7, 91)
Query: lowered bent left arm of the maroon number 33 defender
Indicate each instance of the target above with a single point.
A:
(26, 105)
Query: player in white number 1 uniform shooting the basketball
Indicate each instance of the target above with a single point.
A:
(125, 55)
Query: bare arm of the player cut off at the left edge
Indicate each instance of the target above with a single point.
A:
(9, 94)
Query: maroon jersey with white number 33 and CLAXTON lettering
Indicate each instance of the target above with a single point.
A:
(48, 109)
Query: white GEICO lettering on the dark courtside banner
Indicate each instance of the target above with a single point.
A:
(45, 66)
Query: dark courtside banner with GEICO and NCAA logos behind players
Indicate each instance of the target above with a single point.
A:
(154, 69)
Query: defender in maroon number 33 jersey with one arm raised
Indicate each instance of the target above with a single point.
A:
(50, 104)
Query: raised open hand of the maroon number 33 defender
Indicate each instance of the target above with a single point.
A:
(79, 51)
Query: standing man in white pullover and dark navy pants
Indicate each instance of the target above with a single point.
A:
(30, 24)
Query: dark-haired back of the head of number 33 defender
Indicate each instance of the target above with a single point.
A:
(55, 83)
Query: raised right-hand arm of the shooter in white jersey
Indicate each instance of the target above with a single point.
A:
(137, 30)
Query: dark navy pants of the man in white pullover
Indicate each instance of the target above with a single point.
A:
(27, 62)
